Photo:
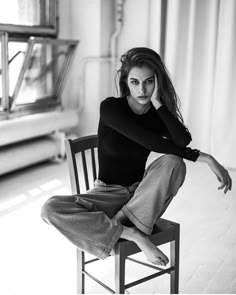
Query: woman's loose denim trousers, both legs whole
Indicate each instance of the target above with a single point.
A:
(85, 219)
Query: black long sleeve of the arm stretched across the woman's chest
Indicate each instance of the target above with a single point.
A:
(114, 115)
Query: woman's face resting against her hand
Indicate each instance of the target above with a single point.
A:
(141, 84)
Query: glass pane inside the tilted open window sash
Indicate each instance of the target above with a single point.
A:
(43, 72)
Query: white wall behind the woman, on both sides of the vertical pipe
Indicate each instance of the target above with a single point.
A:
(93, 22)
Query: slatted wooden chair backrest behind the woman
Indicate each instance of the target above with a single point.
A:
(82, 160)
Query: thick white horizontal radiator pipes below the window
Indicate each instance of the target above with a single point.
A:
(34, 138)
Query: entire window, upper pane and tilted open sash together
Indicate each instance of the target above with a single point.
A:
(33, 62)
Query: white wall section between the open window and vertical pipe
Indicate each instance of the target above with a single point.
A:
(85, 21)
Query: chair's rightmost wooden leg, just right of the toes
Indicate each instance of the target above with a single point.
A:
(174, 260)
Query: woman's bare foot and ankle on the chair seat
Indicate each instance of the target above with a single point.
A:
(152, 253)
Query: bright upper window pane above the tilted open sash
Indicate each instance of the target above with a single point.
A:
(26, 12)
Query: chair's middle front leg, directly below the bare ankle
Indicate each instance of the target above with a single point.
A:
(119, 270)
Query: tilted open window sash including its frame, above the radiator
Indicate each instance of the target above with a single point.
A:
(41, 75)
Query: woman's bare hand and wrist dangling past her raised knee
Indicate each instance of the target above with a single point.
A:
(220, 172)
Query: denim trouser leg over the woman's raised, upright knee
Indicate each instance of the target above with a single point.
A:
(161, 182)
